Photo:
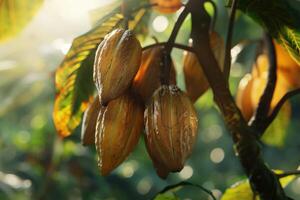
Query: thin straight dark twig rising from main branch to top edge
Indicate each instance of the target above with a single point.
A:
(227, 60)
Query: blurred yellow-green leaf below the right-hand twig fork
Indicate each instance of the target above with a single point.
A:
(276, 133)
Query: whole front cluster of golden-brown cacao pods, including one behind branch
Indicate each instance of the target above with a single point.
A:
(132, 97)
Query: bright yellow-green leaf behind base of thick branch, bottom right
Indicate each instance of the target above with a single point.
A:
(242, 189)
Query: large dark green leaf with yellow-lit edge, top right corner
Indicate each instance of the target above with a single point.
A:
(280, 19)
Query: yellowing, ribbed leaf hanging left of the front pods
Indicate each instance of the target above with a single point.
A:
(73, 78)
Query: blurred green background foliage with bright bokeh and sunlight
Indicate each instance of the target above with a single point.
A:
(36, 164)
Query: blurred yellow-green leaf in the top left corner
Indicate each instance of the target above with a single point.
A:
(15, 15)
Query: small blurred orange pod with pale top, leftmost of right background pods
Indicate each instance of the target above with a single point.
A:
(243, 98)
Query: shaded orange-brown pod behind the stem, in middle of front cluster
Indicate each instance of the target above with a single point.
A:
(147, 79)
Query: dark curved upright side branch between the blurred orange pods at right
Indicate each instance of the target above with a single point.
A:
(266, 98)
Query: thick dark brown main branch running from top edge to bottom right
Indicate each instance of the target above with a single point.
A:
(262, 179)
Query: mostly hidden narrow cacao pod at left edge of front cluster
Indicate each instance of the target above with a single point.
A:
(89, 122)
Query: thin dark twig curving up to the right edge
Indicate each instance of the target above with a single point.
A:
(279, 105)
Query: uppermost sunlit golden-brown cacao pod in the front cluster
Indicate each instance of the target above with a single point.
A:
(117, 61)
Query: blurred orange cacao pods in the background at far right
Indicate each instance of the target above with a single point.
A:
(252, 85)
